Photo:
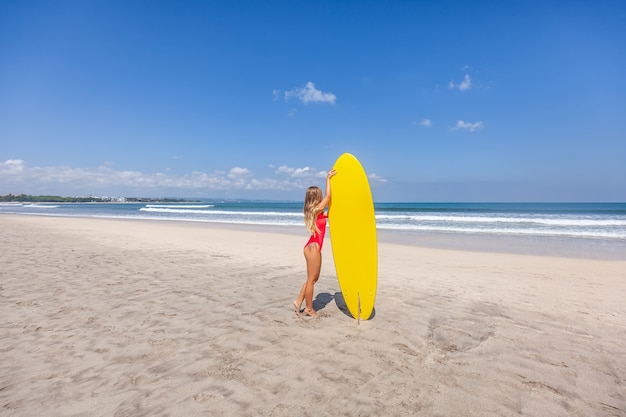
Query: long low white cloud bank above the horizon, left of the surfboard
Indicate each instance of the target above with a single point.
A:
(17, 177)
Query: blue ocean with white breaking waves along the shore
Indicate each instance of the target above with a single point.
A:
(600, 224)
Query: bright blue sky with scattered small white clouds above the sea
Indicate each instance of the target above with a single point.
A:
(440, 100)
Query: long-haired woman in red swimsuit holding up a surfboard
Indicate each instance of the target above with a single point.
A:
(315, 221)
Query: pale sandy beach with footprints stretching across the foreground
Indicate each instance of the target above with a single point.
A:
(105, 317)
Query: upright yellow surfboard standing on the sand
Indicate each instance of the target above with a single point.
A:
(353, 236)
